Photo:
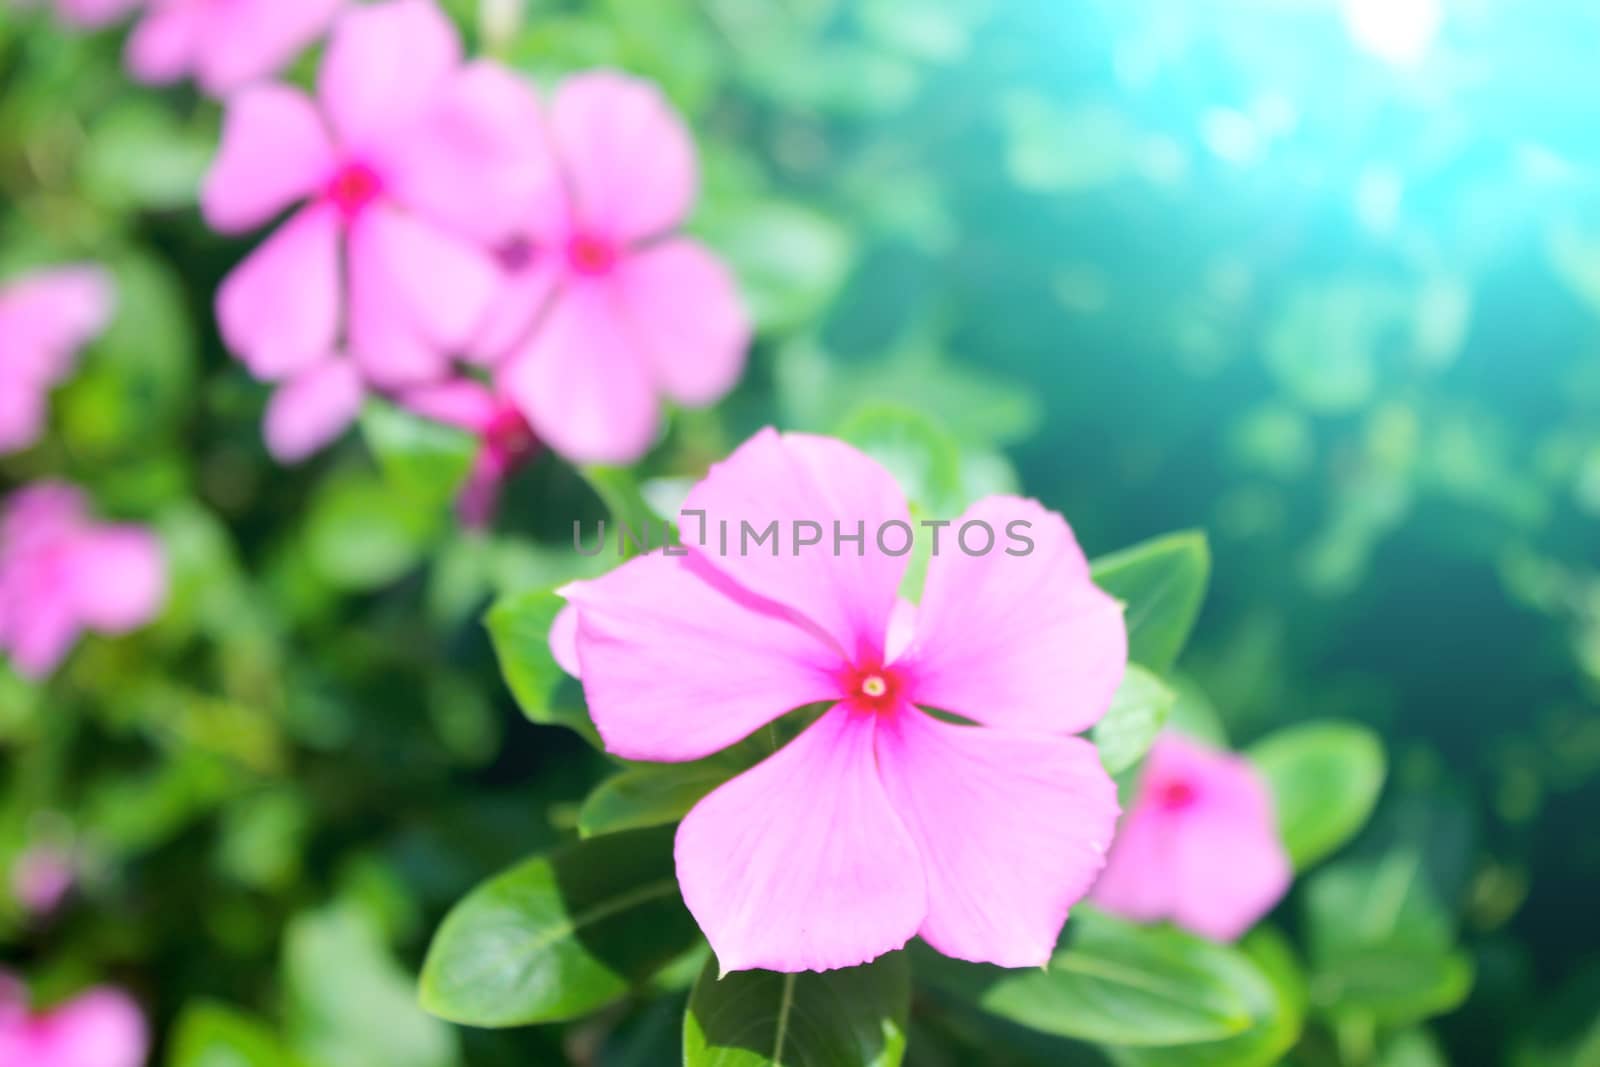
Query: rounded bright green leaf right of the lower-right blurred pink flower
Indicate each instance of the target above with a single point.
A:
(1326, 780)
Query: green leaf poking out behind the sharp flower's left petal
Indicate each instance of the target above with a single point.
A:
(521, 631)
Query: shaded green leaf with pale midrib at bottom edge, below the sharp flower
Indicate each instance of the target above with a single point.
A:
(855, 1017)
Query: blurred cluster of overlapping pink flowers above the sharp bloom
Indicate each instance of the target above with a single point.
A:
(462, 247)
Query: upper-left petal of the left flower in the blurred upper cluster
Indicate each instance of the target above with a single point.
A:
(274, 153)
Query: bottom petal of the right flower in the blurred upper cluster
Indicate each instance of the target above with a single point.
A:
(582, 382)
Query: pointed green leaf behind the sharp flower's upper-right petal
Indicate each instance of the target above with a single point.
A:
(1162, 583)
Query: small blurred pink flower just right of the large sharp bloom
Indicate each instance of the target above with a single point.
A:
(1201, 845)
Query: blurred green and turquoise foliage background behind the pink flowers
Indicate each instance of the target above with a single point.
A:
(1268, 268)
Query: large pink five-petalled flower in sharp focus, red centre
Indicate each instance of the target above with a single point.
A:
(879, 821)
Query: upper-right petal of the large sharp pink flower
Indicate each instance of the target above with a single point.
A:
(1025, 642)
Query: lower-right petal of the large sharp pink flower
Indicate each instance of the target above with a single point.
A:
(1012, 831)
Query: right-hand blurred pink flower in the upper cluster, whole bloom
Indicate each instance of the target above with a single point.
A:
(609, 310)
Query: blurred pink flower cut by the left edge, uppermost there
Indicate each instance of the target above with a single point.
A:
(44, 321)
